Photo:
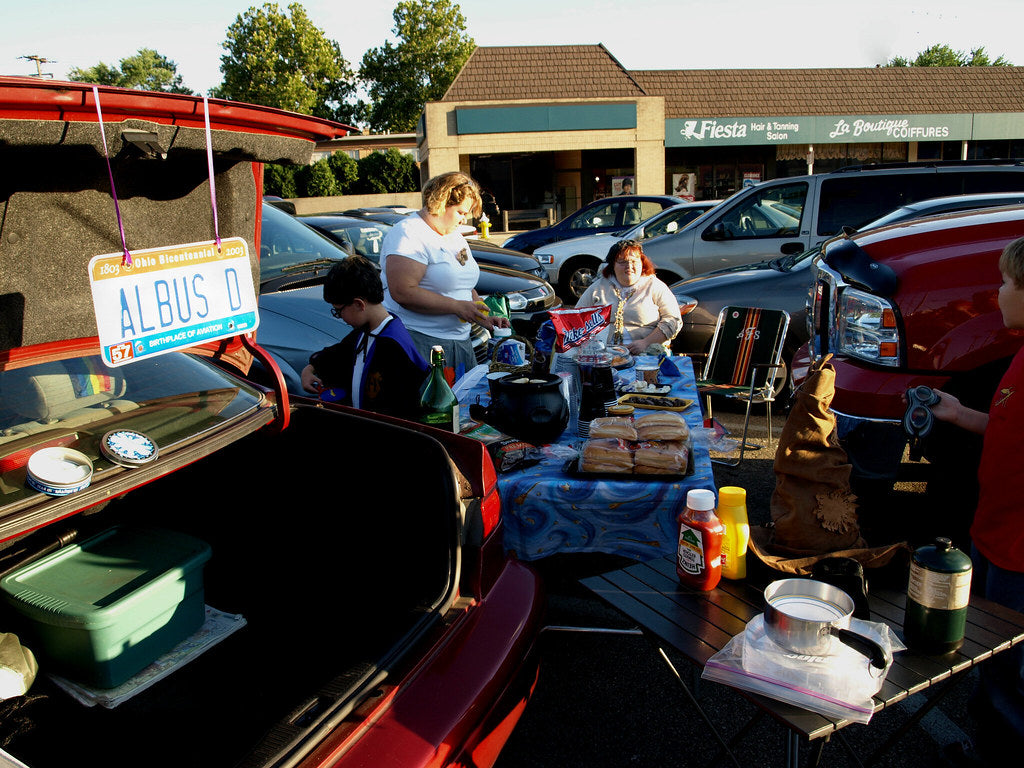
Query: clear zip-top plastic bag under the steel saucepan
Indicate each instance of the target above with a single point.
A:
(840, 685)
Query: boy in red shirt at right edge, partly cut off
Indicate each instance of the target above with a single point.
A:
(998, 531)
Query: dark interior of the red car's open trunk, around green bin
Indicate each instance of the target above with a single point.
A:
(336, 564)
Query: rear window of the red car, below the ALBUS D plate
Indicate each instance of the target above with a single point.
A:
(73, 403)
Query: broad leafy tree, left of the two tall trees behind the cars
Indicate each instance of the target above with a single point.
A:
(285, 61)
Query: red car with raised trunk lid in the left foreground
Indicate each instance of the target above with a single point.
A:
(451, 689)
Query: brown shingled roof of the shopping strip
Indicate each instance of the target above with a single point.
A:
(560, 72)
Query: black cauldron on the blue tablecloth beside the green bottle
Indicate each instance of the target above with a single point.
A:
(531, 408)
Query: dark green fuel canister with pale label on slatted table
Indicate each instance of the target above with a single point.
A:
(937, 596)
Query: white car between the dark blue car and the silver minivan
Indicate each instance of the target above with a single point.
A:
(572, 265)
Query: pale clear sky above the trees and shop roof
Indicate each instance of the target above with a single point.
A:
(665, 35)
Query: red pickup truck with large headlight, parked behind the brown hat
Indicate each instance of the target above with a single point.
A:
(906, 306)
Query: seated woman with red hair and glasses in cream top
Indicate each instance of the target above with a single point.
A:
(645, 312)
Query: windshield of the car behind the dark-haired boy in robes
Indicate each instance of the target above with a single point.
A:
(288, 247)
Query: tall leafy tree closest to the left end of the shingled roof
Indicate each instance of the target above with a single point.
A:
(402, 78)
